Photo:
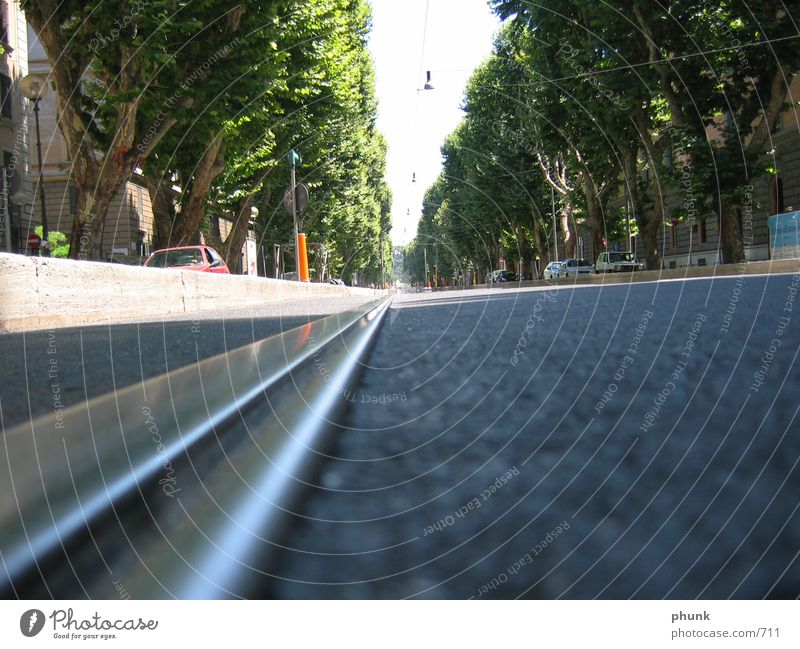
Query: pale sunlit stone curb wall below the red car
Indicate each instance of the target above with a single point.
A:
(37, 292)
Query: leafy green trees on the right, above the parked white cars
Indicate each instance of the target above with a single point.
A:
(660, 111)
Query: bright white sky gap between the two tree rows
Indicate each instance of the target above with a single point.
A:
(459, 37)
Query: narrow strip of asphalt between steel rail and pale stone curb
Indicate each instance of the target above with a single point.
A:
(67, 365)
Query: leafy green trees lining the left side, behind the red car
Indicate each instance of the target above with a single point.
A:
(205, 98)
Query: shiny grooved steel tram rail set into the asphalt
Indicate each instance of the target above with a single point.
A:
(178, 486)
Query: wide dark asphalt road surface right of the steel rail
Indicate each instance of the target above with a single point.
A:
(613, 442)
